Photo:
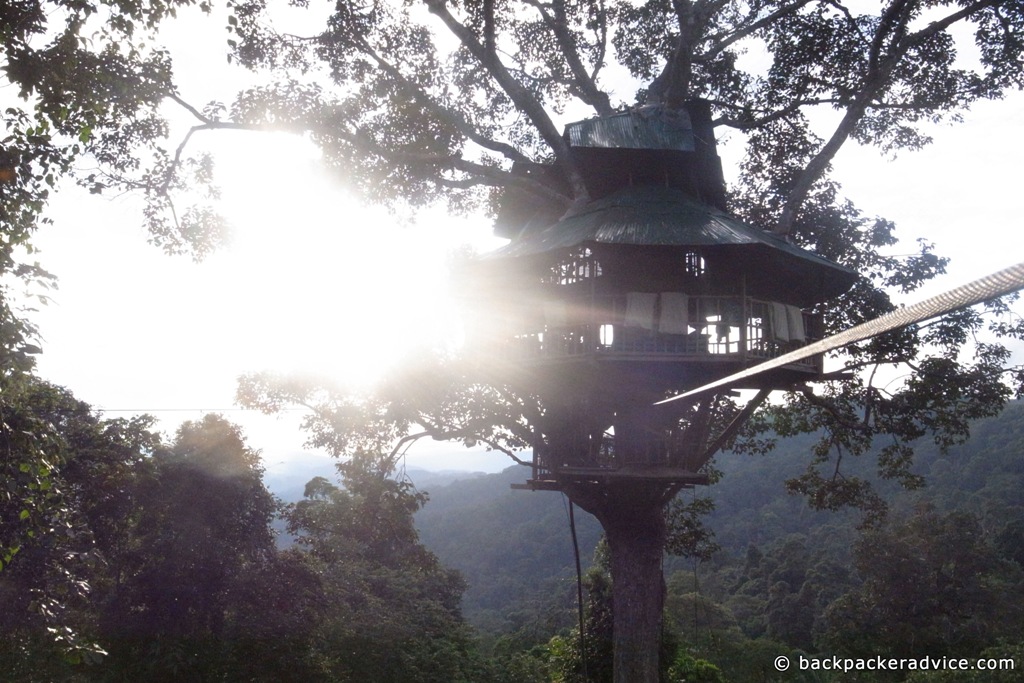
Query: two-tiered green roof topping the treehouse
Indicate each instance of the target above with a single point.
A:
(656, 180)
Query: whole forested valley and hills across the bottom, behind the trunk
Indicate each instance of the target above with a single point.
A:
(162, 564)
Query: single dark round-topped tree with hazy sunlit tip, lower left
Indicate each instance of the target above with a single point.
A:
(203, 521)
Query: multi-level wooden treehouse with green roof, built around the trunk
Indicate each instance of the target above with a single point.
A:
(651, 288)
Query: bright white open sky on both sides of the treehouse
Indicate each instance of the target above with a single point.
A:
(315, 283)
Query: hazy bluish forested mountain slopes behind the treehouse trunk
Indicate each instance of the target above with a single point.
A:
(516, 552)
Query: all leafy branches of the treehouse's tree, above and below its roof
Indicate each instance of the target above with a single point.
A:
(444, 102)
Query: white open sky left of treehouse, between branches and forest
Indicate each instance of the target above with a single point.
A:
(312, 283)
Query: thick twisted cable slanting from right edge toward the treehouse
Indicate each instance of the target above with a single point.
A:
(1001, 283)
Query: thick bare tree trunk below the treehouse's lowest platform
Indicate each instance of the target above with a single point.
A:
(634, 524)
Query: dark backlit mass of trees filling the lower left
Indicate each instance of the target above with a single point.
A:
(161, 567)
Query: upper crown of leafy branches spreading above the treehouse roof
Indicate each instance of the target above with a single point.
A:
(437, 100)
